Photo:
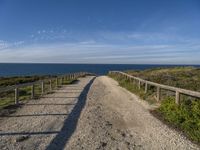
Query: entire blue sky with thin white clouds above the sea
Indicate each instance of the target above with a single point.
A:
(100, 31)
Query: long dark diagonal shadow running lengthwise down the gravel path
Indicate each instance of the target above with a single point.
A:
(70, 123)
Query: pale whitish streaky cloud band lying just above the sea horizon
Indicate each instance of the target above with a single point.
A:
(92, 52)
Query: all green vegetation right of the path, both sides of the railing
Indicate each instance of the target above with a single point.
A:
(186, 116)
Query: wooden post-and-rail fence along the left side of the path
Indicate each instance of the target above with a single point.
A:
(16, 88)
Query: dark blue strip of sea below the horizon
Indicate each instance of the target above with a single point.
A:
(50, 69)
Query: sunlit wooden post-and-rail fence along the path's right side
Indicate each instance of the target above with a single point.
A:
(177, 91)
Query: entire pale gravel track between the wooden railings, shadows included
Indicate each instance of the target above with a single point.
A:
(105, 116)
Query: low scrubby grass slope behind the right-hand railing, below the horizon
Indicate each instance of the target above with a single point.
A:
(182, 77)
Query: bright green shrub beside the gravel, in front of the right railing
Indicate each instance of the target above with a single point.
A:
(186, 116)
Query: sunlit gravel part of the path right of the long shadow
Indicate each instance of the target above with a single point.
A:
(116, 119)
